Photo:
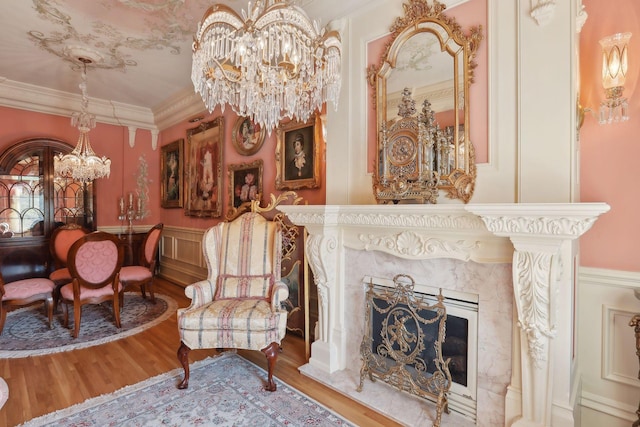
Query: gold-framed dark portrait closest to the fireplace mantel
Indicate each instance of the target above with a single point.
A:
(298, 155)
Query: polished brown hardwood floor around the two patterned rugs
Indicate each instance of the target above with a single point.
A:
(42, 384)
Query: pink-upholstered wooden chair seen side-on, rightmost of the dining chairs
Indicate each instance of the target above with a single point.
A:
(142, 274)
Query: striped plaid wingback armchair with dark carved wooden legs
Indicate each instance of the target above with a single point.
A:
(239, 304)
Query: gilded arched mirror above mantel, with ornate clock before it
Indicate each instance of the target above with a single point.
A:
(422, 106)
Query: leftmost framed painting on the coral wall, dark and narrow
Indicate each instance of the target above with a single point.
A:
(171, 173)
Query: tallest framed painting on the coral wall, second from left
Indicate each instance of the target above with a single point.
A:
(203, 182)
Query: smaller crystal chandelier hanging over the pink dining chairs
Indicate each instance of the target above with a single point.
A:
(82, 164)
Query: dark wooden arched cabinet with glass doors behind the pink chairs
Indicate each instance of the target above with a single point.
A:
(33, 202)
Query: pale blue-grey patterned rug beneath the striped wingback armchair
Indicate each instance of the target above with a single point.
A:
(225, 390)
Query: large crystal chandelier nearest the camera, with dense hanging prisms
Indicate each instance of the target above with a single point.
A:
(271, 63)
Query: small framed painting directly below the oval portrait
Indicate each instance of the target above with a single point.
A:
(245, 183)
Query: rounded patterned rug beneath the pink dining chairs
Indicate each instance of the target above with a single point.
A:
(26, 333)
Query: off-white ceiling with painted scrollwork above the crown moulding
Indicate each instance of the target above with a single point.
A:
(142, 47)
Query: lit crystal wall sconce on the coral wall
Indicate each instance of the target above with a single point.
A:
(614, 71)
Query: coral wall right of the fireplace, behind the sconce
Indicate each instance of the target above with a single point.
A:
(609, 169)
